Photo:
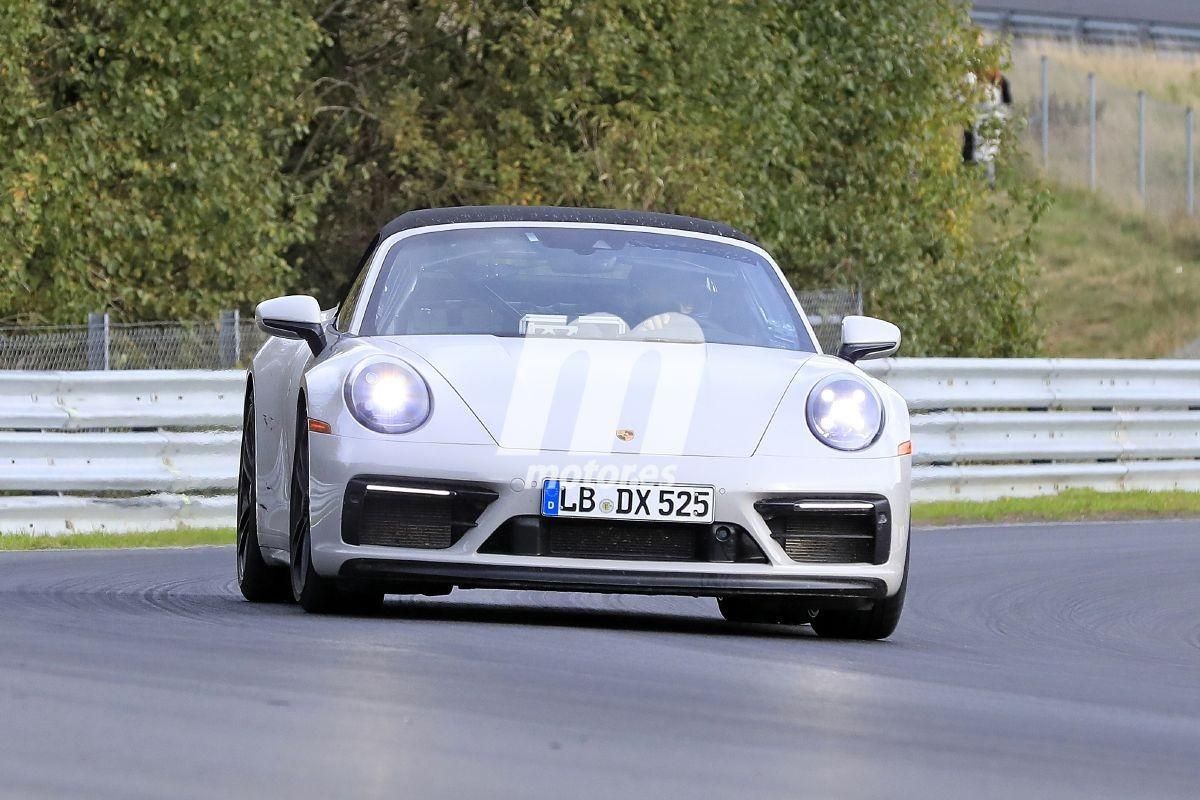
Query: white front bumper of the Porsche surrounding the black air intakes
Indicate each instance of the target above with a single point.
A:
(740, 483)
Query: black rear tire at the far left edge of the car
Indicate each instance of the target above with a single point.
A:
(259, 581)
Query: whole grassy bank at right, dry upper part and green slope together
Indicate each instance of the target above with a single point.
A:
(1120, 275)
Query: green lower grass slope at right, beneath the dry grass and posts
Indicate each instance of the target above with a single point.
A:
(1113, 284)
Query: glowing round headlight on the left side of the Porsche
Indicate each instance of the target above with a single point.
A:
(388, 396)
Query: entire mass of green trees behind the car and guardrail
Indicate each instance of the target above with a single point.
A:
(169, 159)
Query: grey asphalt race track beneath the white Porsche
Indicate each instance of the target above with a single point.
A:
(1033, 661)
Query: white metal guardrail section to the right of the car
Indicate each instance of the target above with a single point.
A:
(987, 429)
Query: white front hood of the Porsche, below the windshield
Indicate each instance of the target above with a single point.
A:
(604, 396)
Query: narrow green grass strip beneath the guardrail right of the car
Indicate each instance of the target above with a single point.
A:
(1073, 506)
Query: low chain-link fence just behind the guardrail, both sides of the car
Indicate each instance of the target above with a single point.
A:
(230, 342)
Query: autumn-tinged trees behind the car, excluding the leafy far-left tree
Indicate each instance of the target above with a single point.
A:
(831, 130)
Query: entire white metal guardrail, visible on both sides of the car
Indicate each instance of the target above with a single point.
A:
(151, 450)
